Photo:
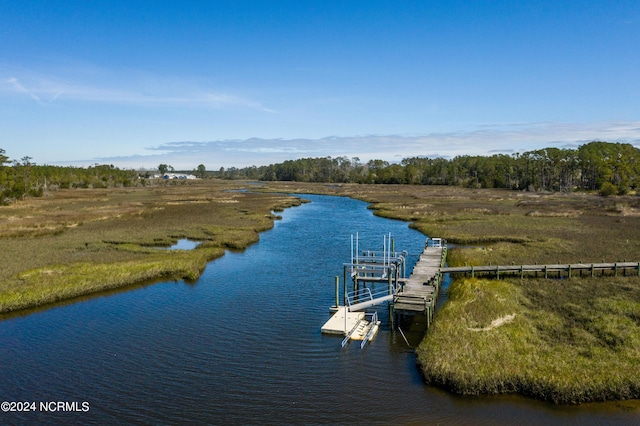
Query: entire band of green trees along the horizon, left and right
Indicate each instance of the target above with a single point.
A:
(607, 167)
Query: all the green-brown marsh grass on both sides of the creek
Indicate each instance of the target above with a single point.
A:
(565, 341)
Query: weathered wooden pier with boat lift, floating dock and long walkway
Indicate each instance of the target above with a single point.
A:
(379, 277)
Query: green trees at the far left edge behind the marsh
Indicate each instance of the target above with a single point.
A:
(22, 178)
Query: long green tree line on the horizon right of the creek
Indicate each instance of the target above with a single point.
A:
(610, 168)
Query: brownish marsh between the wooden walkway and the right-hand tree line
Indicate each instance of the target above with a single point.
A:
(510, 226)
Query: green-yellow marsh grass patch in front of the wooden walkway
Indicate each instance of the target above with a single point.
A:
(570, 341)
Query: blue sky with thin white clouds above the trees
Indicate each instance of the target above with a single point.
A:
(239, 83)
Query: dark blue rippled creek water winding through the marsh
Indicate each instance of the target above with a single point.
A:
(242, 345)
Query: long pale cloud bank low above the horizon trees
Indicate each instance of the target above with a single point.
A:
(503, 138)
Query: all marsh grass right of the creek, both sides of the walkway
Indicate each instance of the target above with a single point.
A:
(566, 341)
